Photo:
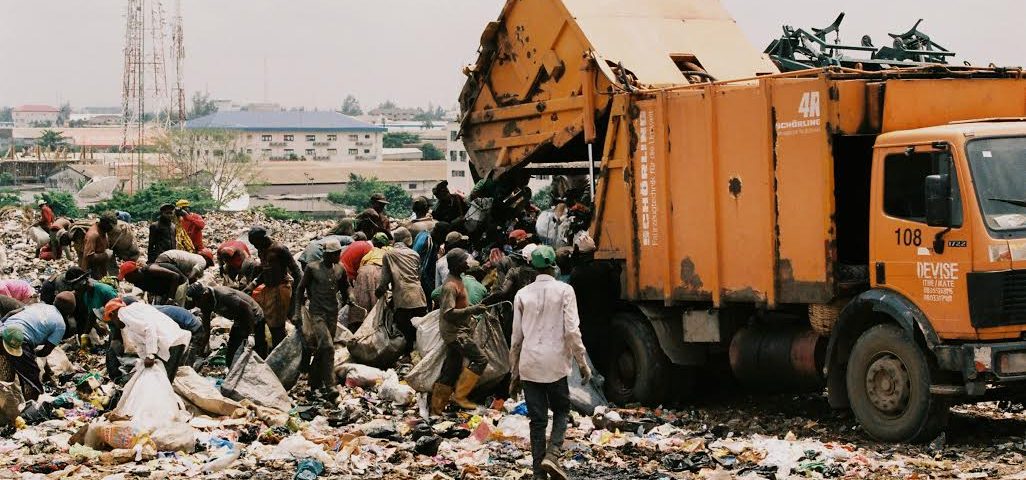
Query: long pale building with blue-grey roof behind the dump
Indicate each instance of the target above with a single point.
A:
(300, 136)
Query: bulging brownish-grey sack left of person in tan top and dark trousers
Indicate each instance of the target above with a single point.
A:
(378, 343)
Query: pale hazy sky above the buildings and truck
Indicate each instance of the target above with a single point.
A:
(318, 52)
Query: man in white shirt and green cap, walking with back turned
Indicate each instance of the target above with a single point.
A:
(546, 338)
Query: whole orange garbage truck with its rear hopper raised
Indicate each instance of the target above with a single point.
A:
(860, 231)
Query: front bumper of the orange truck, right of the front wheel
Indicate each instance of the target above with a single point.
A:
(984, 364)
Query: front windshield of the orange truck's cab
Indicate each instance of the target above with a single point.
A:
(999, 168)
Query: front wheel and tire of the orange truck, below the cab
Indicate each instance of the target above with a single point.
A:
(889, 380)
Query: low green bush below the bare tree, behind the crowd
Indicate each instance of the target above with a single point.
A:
(146, 204)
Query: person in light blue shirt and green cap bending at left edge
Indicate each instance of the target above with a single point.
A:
(35, 332)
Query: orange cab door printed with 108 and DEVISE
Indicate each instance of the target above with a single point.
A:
(928, 265)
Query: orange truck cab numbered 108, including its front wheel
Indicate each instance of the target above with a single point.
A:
(949, 228)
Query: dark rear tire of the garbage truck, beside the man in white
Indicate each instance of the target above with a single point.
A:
(639, 367)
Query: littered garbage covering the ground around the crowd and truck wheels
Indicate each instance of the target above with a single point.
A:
(256, 421)
